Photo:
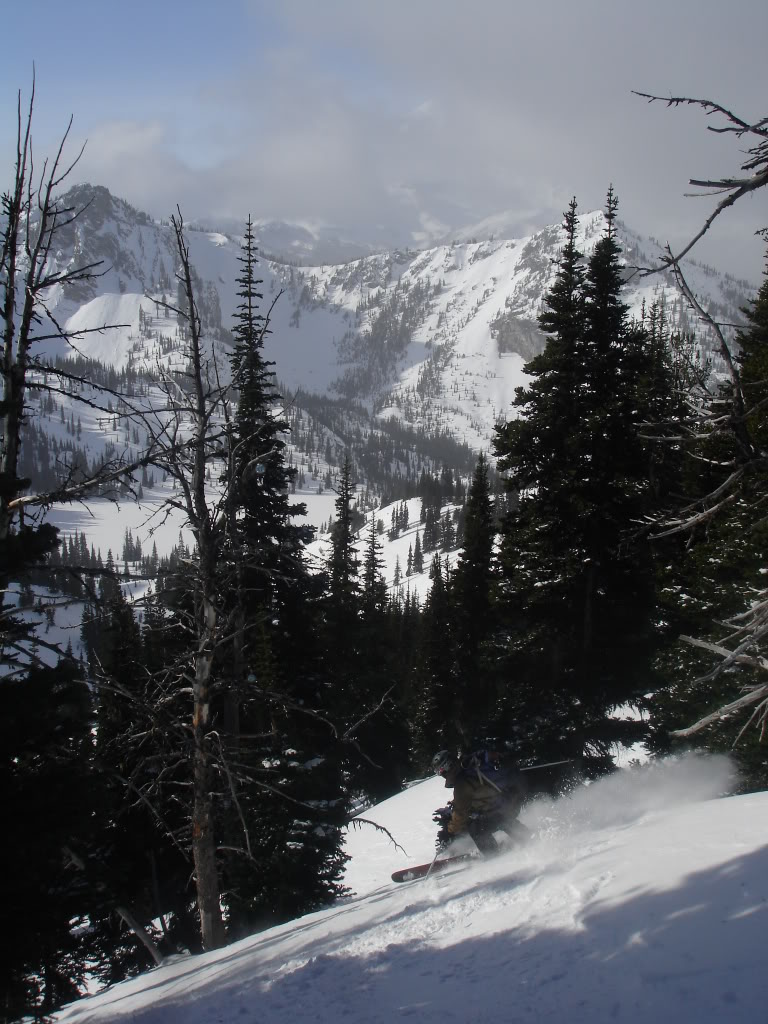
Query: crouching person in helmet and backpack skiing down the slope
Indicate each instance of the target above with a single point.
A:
(488, 798)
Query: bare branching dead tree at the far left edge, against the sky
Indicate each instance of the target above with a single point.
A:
(32, 222)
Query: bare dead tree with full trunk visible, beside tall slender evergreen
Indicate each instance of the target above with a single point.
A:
(193, 440)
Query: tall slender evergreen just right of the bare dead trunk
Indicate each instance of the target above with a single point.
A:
(291, 861)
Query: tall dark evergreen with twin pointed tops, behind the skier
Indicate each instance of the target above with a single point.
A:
(580, 585)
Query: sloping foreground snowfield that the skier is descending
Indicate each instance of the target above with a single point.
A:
(645, 899)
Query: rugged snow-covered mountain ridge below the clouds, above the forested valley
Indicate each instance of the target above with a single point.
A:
(437, 338)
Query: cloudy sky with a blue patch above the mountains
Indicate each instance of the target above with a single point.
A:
(402, 121)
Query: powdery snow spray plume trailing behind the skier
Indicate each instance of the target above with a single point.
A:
(628, 795)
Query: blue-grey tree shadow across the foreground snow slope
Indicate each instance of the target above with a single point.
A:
(695, 953)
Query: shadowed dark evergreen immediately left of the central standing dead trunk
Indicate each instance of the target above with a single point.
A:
(134, 862)
